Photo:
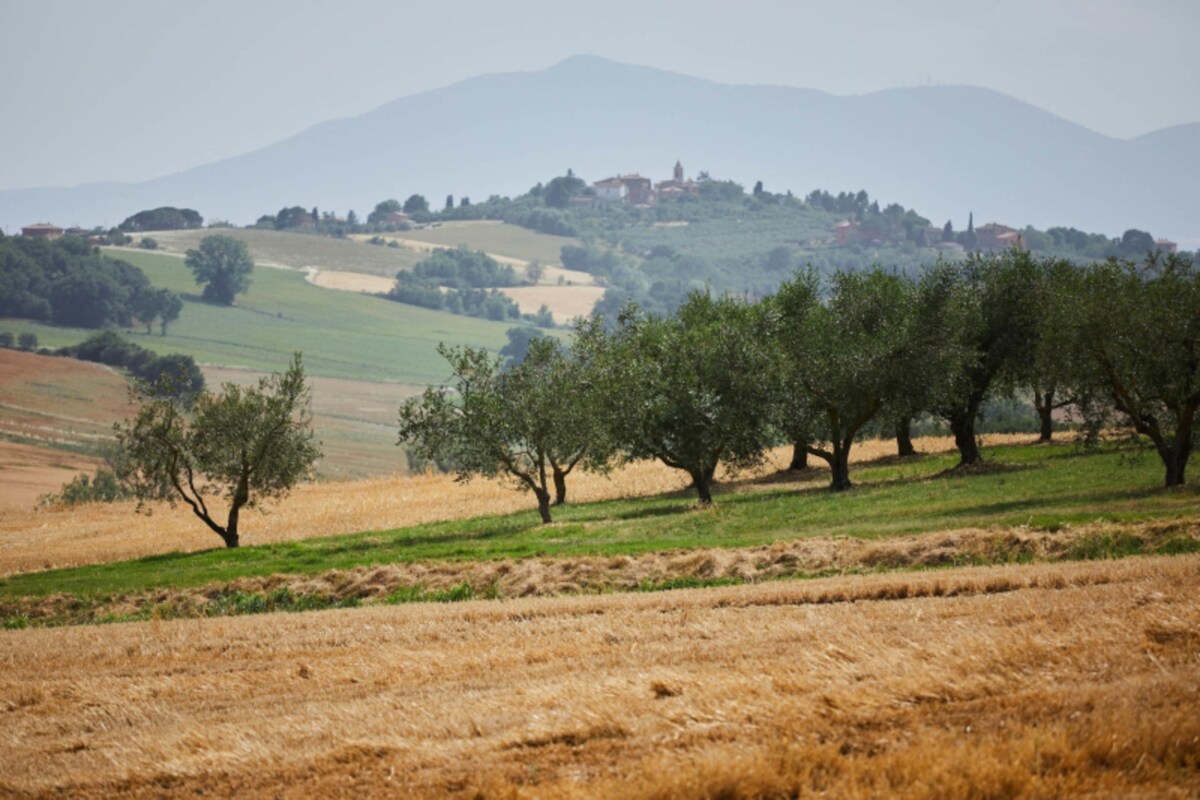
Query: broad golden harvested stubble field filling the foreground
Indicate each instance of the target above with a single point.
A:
(1049, 681)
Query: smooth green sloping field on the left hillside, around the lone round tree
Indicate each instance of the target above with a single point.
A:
(343, 335)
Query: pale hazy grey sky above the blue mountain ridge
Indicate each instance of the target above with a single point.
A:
(135, 89)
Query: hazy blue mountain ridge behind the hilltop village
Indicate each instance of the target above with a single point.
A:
(941, 151)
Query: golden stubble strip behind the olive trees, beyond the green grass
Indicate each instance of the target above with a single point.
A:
(100, 533)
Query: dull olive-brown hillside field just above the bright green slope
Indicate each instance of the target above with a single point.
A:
(299, 251)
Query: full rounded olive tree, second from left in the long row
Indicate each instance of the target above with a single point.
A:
(691, 390)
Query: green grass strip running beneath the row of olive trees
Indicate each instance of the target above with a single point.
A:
(1043, 488)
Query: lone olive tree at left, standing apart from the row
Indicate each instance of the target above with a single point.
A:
(243, 444)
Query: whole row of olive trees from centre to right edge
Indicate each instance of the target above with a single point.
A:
(825, 362)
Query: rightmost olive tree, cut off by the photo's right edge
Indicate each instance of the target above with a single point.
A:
(1138, 340)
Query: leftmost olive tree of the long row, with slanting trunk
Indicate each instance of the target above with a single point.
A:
(533, 423)
